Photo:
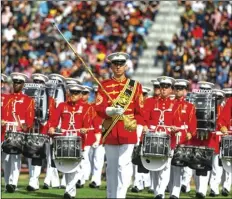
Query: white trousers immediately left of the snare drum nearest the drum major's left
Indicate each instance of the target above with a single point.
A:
(52, 176)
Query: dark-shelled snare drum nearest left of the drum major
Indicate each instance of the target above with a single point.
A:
(67, 147)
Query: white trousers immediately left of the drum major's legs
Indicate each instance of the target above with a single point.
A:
(98, 162)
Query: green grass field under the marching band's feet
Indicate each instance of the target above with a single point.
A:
(85, 192)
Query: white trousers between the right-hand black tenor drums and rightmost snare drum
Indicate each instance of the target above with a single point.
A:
(216, 175)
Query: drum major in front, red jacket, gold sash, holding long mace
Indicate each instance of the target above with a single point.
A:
(119, 127)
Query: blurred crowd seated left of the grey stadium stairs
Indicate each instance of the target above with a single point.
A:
(95, 28)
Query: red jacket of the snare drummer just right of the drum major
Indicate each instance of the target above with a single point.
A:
(160, 112)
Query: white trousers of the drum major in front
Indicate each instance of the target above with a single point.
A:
(119, 169)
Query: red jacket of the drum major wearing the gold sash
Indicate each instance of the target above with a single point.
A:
(119, 135)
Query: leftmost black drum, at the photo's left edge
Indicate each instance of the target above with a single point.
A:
(13, 143)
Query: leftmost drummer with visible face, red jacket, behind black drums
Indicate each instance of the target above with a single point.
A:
(19, 109)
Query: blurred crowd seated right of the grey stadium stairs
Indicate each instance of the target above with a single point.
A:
(203, 49)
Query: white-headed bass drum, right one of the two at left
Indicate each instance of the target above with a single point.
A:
(56, 90)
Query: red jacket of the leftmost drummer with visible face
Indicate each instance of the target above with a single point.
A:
(24, 110)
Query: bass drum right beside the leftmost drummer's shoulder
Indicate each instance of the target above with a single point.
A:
(39, 93)
